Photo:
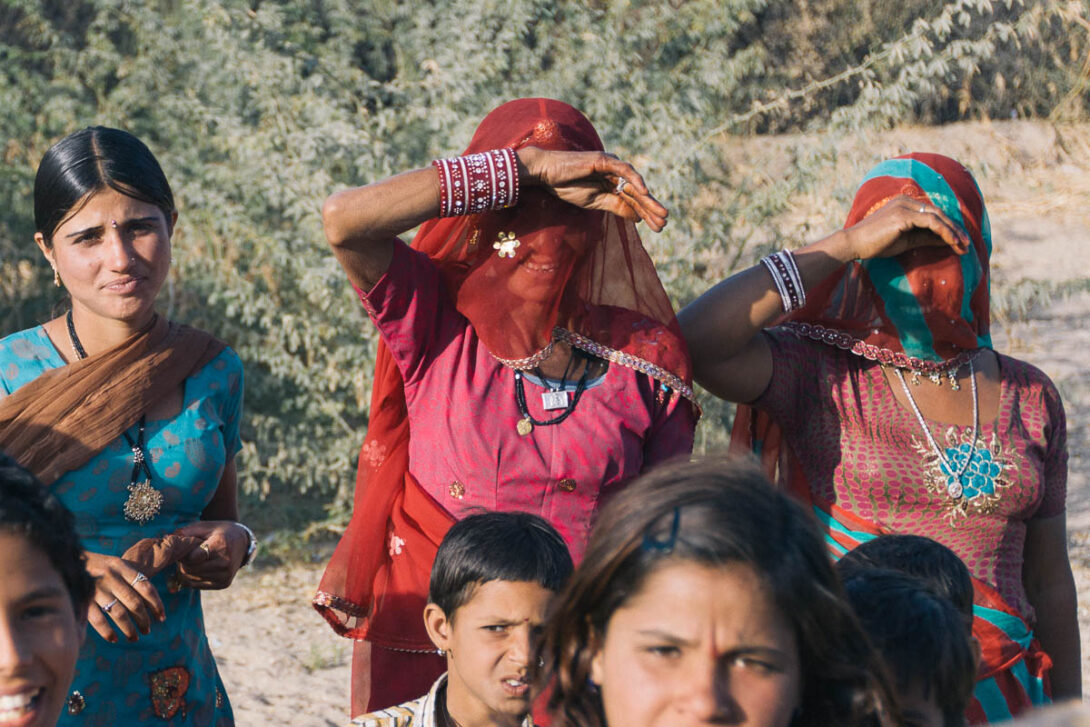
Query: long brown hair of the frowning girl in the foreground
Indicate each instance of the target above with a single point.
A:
(716, 513)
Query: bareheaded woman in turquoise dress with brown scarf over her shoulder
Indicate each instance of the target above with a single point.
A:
(132, 421)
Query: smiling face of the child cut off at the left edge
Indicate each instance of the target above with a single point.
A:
(41, 636)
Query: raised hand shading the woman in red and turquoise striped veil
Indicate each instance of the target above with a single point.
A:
(903, 224)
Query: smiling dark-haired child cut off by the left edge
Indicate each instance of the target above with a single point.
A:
(44, 597)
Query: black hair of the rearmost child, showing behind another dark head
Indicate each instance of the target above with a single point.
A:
(931, 562)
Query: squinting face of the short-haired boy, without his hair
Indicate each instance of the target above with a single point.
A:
(490, 645)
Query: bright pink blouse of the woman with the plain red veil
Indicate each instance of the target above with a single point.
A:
(465, 449)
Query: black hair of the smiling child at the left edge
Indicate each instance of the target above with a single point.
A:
(30, 511)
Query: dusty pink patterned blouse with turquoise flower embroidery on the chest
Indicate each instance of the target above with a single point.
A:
(865, 452)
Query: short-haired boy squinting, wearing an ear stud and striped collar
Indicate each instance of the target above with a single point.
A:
(493, 578)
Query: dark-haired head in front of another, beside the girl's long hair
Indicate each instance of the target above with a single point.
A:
(921, 636)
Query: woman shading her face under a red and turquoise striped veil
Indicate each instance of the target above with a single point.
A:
(880, 401)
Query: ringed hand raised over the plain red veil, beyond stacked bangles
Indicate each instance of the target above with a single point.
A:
(592, 180)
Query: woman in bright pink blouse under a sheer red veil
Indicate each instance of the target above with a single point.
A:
(530, 360)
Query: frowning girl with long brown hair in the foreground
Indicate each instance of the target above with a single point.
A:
(707, 598)
